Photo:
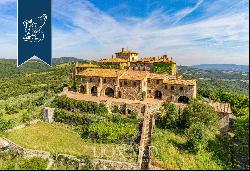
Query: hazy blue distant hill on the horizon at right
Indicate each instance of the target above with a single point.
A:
(223, 67)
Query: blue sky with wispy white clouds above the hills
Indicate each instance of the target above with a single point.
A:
(191, 31)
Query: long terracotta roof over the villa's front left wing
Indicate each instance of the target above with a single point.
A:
(101, 73)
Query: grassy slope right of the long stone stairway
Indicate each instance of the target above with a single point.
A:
(171, 153)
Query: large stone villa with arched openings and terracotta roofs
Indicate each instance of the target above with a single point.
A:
(127, 76)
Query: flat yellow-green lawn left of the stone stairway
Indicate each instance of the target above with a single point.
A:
(60, 138)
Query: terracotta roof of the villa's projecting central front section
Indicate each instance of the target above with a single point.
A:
(134, 75)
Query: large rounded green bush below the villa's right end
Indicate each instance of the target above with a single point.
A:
(201, 123)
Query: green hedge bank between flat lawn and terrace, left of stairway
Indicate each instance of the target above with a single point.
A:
(110, 127)
